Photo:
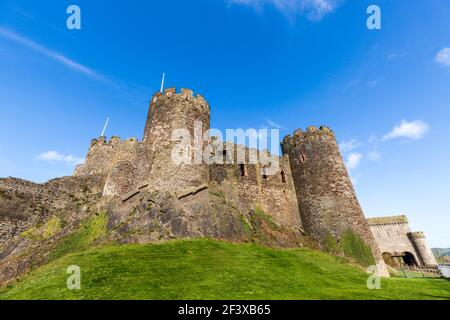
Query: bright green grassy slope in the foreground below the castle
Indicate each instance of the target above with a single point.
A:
(206, 269)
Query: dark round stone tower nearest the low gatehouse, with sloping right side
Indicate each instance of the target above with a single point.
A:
(327, 201)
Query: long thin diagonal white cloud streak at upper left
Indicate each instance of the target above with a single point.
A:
(28, 43)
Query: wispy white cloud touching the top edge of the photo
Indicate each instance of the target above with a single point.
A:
(314, 10)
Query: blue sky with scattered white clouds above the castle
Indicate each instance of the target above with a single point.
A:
(260, 63)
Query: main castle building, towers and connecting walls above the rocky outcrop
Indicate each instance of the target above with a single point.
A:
(311, 191)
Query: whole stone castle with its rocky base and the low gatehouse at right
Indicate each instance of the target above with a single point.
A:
(145, 196)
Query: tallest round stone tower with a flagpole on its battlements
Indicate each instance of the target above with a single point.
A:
(174, 140)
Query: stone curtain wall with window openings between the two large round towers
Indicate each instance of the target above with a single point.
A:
(251, 189)
